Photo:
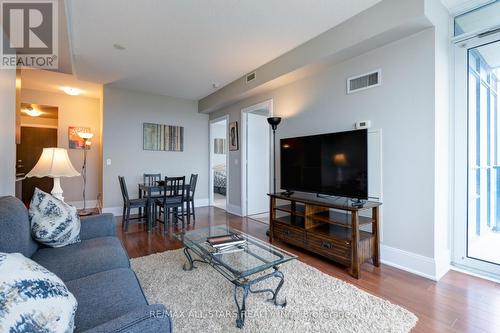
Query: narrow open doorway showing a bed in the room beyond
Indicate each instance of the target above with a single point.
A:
(219, 162)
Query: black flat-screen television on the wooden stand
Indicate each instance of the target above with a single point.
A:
(332, 164)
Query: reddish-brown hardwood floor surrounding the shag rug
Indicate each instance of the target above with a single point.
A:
(457, 303)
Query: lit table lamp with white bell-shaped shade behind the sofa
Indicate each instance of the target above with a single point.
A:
(54, 163)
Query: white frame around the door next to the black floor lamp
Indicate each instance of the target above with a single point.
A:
(268, 104)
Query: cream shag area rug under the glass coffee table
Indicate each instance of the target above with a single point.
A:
(201, 300)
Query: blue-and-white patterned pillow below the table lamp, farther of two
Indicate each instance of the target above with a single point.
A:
(53, 222)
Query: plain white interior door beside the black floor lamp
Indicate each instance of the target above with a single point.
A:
(258, 164)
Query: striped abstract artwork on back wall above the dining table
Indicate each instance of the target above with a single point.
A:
(160, 137)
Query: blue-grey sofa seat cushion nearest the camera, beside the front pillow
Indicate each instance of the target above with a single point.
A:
(105, 296)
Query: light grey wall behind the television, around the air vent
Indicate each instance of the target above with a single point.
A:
(403, 107)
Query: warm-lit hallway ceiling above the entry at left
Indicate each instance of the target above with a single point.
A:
(53, 82)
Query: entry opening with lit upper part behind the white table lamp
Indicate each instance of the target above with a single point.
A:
(38, 130)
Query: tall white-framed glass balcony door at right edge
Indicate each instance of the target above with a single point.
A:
(477, 152)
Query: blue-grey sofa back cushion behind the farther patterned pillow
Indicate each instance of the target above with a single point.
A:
(15, 232)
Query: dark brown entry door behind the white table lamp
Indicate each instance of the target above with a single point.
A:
(33, 140)
